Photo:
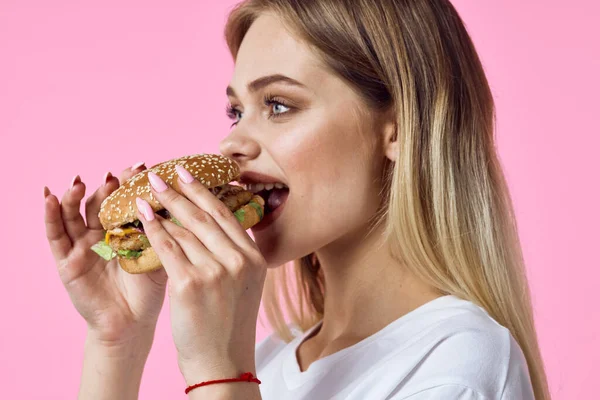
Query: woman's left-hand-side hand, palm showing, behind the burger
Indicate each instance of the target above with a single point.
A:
(118, 307)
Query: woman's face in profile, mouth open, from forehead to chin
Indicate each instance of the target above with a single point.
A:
(314, 136)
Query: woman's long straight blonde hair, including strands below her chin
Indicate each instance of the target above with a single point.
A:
(448, 213)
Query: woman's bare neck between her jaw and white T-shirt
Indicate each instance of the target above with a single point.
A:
(365, 287)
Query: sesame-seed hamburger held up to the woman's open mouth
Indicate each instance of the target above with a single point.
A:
(124, 233)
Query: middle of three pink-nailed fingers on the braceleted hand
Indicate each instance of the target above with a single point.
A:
(193, 218)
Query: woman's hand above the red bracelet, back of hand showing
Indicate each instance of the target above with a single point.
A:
(216, 276)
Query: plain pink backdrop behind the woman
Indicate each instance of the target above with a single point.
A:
(96, 87)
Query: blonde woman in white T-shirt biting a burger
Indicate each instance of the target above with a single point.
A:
(410, 281)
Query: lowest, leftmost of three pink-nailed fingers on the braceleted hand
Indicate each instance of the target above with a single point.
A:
(166, 247)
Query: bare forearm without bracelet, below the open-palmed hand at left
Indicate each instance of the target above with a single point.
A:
(113, 371)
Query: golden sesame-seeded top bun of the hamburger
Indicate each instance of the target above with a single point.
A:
(120, 208)
